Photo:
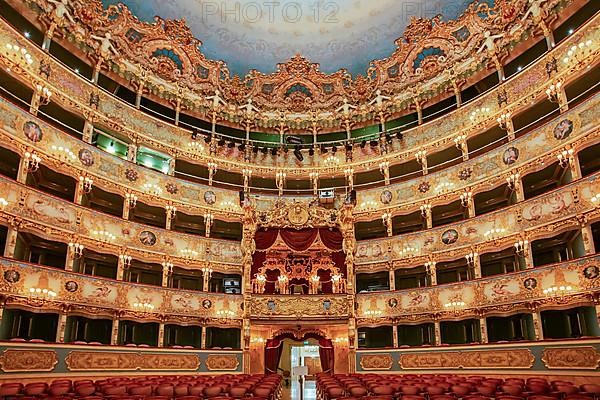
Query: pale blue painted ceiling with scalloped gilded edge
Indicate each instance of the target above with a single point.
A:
(260, 34)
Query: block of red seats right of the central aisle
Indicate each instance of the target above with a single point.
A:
(448, 387)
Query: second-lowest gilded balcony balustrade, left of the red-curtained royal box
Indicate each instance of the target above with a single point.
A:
(57, 219)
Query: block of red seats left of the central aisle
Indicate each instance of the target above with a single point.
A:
(193, 387)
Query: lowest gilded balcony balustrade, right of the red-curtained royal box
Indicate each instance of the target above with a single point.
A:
(499, 295)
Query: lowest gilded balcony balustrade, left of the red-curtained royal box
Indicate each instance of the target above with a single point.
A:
(95, 296)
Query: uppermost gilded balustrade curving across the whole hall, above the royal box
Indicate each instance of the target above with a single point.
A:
(75, 93)
